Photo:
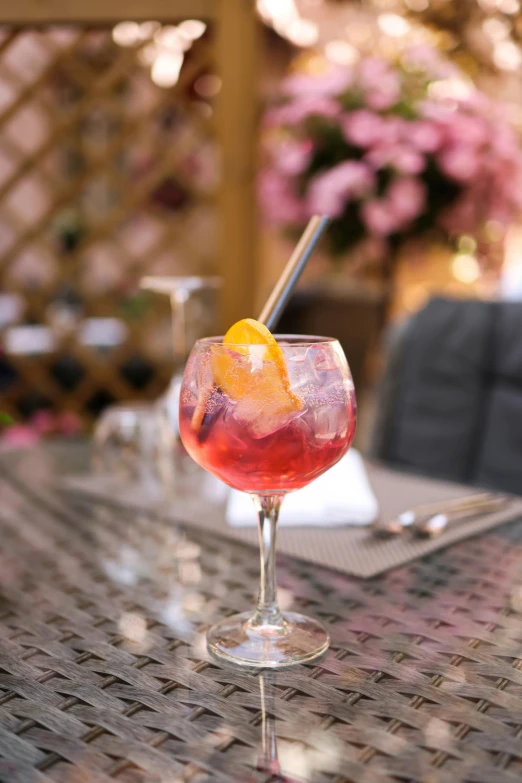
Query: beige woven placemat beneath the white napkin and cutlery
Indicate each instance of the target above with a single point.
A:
(352, 550)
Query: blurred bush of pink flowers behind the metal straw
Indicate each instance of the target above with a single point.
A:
(390, 152)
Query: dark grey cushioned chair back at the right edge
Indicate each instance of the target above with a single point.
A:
(451, 401)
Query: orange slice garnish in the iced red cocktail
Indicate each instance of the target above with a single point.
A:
(250, 364)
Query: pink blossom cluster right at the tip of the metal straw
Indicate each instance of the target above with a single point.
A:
(329, 192)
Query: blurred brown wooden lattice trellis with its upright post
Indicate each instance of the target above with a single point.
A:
(105, 177)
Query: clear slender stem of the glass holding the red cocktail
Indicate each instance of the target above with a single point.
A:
(267, 612)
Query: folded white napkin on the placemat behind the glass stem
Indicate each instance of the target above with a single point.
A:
(341, 496)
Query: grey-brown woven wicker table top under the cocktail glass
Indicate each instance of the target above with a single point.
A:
(104, 674)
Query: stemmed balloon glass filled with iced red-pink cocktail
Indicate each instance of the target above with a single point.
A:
(267, 422)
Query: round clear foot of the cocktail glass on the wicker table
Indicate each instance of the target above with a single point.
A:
(298, 640)
